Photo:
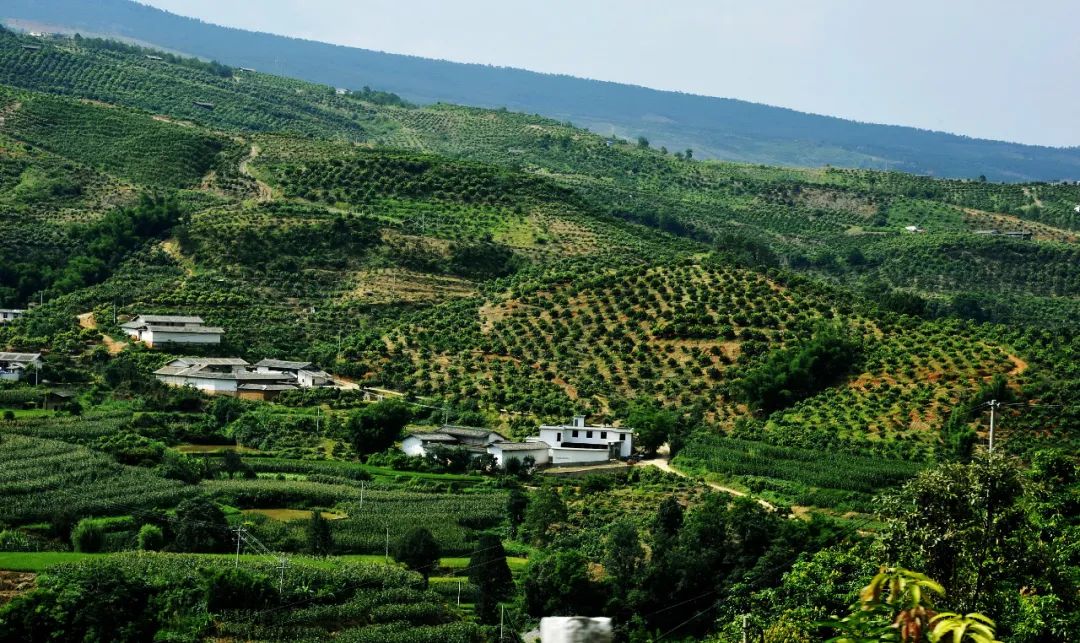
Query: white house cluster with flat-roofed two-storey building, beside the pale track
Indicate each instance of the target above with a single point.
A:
(576, 444)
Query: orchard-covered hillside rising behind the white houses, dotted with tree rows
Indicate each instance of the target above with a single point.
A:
(518, 265)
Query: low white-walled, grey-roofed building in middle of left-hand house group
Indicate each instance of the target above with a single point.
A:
(228, 377)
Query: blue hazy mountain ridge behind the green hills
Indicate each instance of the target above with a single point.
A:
(713, 128)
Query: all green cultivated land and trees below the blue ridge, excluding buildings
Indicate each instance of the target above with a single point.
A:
(811, 359)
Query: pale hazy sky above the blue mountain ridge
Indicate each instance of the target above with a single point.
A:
(1007, 70)
